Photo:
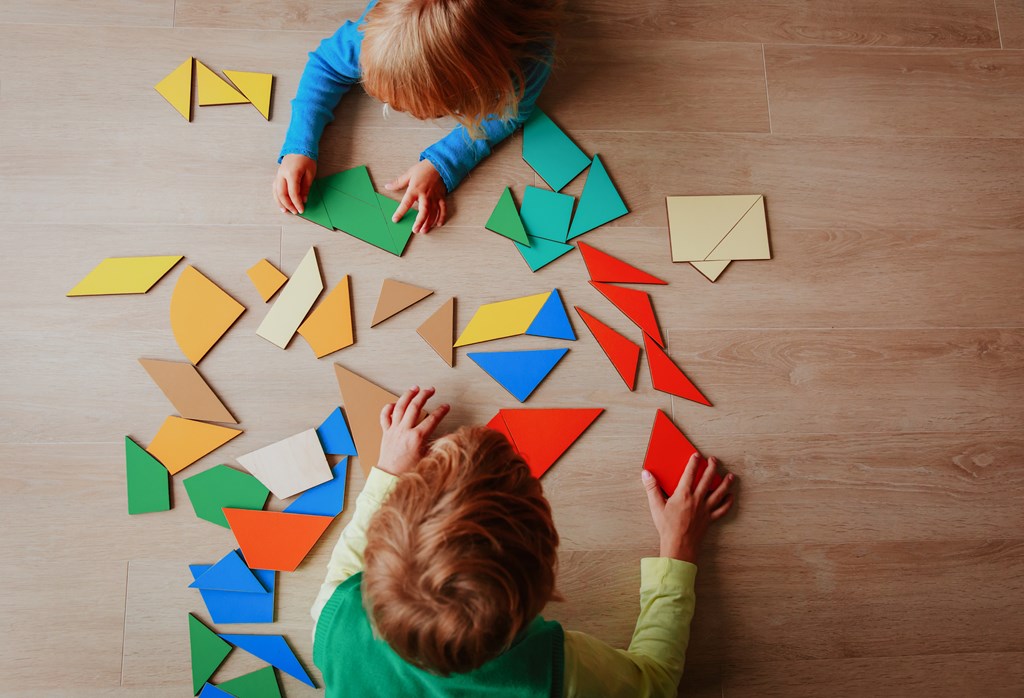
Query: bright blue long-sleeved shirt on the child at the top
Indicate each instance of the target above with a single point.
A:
(334, 68)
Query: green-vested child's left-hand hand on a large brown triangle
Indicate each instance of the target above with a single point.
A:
(405, 442)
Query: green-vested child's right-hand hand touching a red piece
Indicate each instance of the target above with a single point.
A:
(684, 518)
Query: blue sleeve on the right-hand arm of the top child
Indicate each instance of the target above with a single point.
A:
(457, 154)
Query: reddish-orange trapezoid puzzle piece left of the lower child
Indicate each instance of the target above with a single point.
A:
(275, 540)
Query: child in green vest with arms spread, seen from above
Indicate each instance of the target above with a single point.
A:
(436, 587)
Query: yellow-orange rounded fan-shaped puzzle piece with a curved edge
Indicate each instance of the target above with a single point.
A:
(201, 314)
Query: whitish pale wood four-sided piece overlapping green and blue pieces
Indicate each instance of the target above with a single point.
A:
(290, 466)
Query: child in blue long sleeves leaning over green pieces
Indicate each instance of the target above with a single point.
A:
(483, 63)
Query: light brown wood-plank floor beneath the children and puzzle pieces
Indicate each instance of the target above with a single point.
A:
(869, 382)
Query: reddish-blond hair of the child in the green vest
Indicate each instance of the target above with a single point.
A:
(461, 557)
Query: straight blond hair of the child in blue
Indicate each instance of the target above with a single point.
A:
(462, 59)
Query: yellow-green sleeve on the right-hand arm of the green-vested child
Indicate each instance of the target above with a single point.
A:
(654, 664)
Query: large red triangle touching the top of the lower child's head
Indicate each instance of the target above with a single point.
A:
(542, 437)
